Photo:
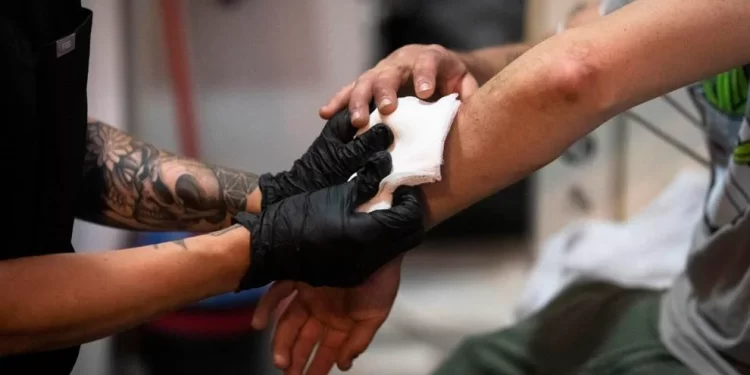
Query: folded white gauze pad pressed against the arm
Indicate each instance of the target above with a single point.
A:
(419, 132)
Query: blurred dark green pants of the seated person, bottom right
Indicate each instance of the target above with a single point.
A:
(622, 340)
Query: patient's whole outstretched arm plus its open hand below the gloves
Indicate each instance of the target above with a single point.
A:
(522, 119)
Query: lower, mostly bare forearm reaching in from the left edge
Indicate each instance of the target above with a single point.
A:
(60, 300)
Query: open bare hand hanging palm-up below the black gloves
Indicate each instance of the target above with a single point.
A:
(342, 322)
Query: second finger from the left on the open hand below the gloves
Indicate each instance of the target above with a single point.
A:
(287, 332)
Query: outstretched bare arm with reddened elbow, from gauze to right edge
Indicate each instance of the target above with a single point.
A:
(566, 86)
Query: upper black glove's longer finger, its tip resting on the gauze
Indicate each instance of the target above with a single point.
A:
(356, 153)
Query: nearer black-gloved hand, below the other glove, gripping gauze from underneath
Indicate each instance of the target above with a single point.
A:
(319, 239)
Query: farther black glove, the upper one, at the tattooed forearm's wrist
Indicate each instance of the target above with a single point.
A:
(332, 158)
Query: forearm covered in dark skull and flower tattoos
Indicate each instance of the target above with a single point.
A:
(132, 184)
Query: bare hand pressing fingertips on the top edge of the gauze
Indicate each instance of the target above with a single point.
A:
(431, 68)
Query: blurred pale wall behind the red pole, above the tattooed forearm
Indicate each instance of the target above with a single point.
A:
(261, 69)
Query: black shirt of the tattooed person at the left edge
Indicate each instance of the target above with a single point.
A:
(43, 71)
